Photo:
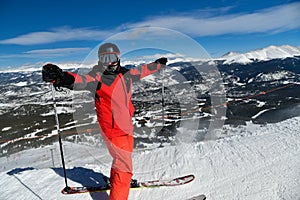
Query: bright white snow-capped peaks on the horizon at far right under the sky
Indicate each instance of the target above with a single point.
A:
(264, 54)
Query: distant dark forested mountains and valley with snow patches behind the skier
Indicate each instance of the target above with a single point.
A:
(261, 86)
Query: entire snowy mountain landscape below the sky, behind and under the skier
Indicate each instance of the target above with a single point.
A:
(253, 156)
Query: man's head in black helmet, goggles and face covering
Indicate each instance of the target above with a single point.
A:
(109, 56)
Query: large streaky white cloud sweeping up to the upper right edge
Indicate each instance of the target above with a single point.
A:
(275, 19)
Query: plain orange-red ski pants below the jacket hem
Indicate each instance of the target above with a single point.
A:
(120, 148)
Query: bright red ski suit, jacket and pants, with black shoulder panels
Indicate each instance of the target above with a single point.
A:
(114, 109)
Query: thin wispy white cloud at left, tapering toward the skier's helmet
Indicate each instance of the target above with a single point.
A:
(57, 35)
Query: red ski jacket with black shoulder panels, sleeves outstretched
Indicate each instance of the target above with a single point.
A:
(113, 91)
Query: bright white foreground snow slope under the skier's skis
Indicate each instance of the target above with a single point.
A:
(247, 162)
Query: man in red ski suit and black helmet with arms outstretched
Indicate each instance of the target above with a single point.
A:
(112, 86)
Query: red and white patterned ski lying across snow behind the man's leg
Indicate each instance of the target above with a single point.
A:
(144, 184)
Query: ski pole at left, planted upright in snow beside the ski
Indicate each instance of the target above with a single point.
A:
(59, 136)
